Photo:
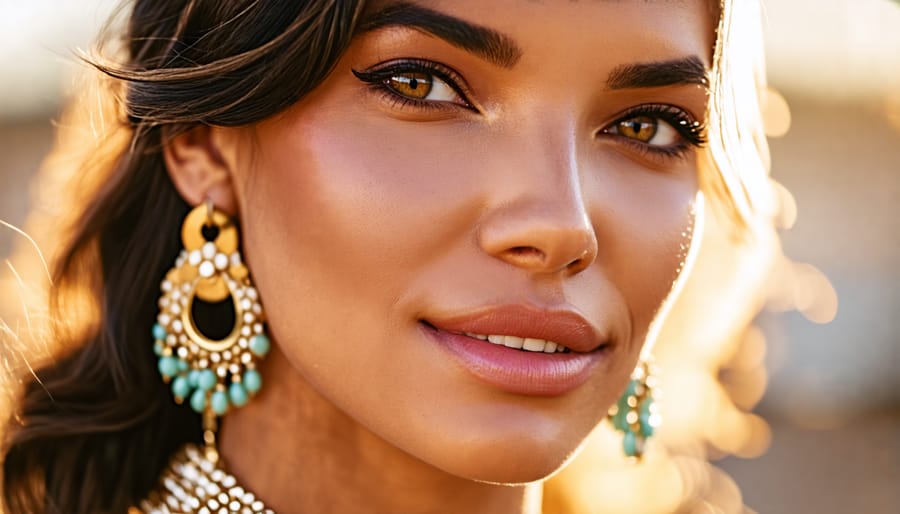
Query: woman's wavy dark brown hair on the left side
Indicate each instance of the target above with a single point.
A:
(92, 430)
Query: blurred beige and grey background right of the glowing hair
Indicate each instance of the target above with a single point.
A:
(833, 396)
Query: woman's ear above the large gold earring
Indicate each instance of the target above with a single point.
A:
(200, 165)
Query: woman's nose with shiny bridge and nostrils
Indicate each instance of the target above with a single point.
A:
(540, 221)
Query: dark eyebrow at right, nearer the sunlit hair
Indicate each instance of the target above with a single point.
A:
(689, 70)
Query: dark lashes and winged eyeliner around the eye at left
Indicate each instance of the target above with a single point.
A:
(377, 79)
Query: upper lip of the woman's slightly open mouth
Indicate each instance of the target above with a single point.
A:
(562, 326)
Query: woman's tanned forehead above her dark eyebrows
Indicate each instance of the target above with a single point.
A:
(634, 30)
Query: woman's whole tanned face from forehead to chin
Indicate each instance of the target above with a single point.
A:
(523, 169)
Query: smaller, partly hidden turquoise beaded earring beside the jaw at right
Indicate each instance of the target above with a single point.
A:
(636, 414)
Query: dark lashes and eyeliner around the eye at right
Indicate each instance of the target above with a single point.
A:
(691, 132)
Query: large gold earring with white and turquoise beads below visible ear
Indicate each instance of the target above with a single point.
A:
(214, 375)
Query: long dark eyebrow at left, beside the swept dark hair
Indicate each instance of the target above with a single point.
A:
(487, 43)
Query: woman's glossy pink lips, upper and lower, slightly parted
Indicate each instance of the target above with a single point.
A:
(519, 371)
